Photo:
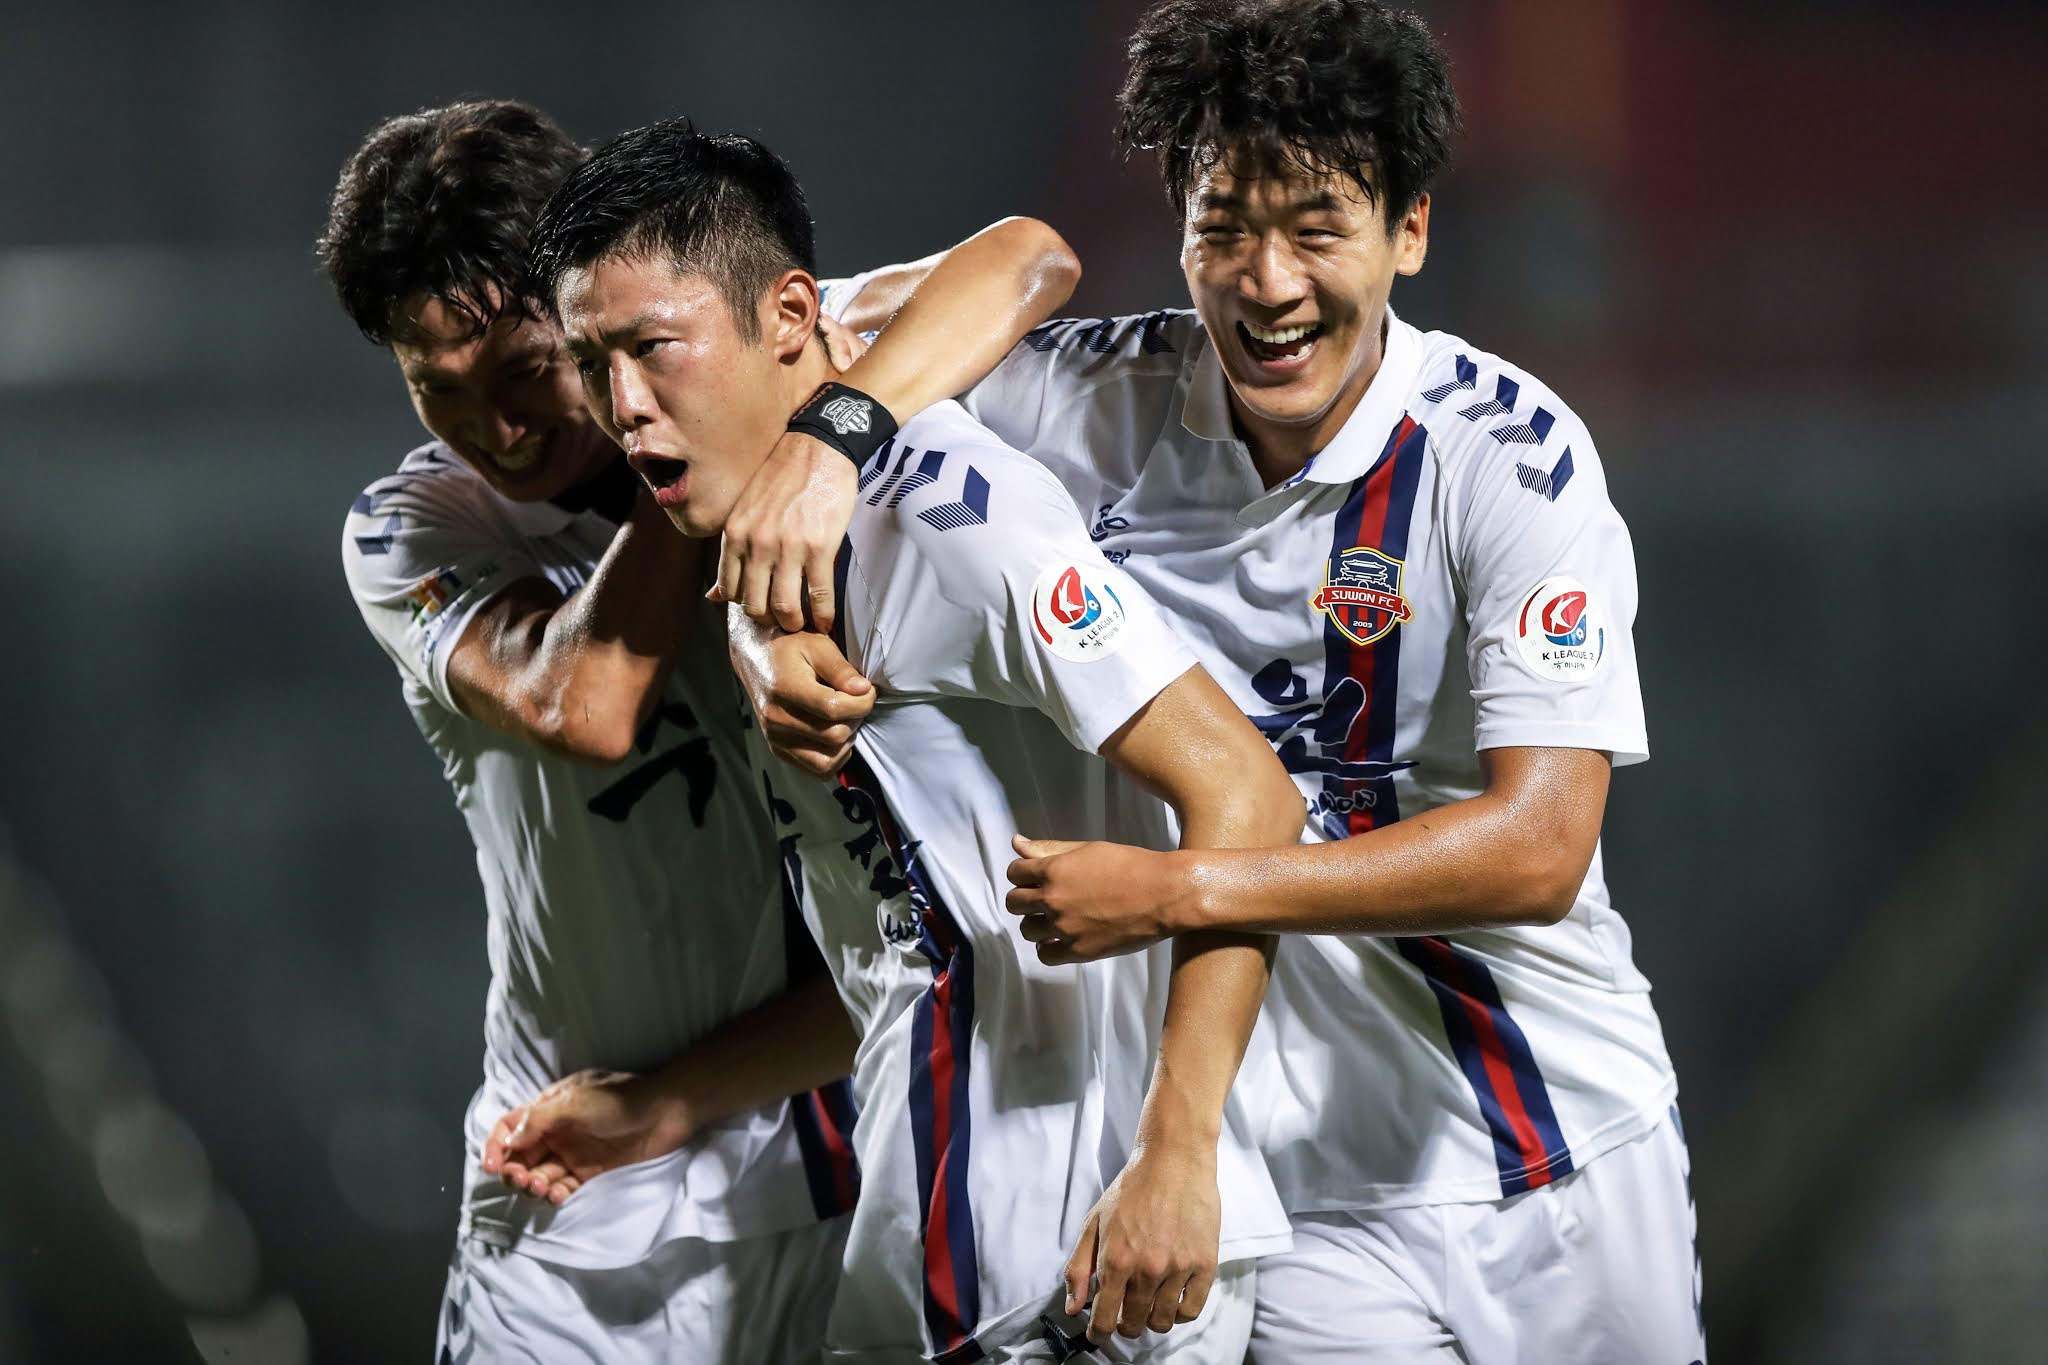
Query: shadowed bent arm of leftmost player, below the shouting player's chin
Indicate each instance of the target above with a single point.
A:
(579, 674)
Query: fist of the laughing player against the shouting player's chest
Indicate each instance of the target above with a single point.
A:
(1084, 901)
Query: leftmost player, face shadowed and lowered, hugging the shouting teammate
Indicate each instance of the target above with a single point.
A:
(654, 1000)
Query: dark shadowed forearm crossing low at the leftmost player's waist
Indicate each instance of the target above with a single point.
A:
(783, 1047)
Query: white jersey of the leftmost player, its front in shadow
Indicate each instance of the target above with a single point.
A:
(630, 908)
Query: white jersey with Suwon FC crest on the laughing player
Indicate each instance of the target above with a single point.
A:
(1449, 576)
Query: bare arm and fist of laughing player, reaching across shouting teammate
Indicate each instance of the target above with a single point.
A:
(1517, 854)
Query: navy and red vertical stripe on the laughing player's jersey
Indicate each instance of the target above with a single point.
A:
(1490, 1047)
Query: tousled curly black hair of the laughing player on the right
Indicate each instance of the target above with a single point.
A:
(1316, 87)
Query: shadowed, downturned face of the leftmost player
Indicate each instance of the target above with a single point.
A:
(505, 400)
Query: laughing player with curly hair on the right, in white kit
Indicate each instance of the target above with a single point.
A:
(1400, 558)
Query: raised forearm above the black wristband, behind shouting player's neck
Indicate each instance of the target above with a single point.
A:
(964, 318)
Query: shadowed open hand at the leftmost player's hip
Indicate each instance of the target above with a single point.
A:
(579, 1129)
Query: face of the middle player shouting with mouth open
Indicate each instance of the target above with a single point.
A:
(671, 378)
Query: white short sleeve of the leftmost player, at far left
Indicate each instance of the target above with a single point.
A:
(421, 562)
